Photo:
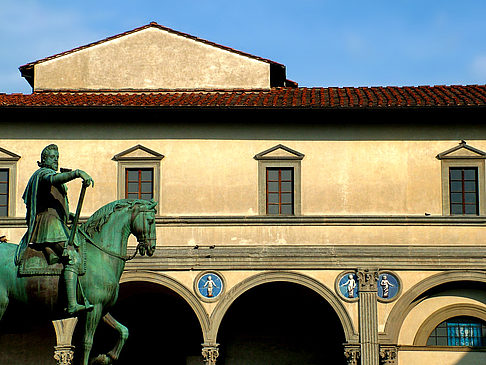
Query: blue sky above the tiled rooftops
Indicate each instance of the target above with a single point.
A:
(322, 43)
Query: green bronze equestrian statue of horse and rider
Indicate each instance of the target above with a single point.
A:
(80, 265)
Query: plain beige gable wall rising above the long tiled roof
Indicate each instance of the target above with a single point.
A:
(151, 59)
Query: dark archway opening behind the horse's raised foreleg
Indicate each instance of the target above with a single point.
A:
(163, 327)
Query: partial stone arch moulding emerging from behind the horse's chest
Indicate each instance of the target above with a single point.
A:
(164, 280)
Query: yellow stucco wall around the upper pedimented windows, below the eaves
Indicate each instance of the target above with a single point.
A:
(219, 178)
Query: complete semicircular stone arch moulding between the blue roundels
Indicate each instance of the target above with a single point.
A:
(292, 277)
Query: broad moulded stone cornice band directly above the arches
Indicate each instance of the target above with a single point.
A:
(322, 257)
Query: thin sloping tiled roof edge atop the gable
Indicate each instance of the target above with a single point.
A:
(26, 67)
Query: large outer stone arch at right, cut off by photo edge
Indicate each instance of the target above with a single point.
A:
(407, 302)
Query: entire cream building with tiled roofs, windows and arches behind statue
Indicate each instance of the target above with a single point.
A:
(295, 225)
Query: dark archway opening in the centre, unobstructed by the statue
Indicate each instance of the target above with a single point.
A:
(281, 323)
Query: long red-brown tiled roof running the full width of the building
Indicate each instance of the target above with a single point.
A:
(320, 98)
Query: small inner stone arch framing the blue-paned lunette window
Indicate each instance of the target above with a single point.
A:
(443, 314)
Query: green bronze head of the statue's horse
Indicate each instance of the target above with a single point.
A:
(143, 227)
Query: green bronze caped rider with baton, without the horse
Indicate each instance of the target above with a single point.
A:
(47, 216)
